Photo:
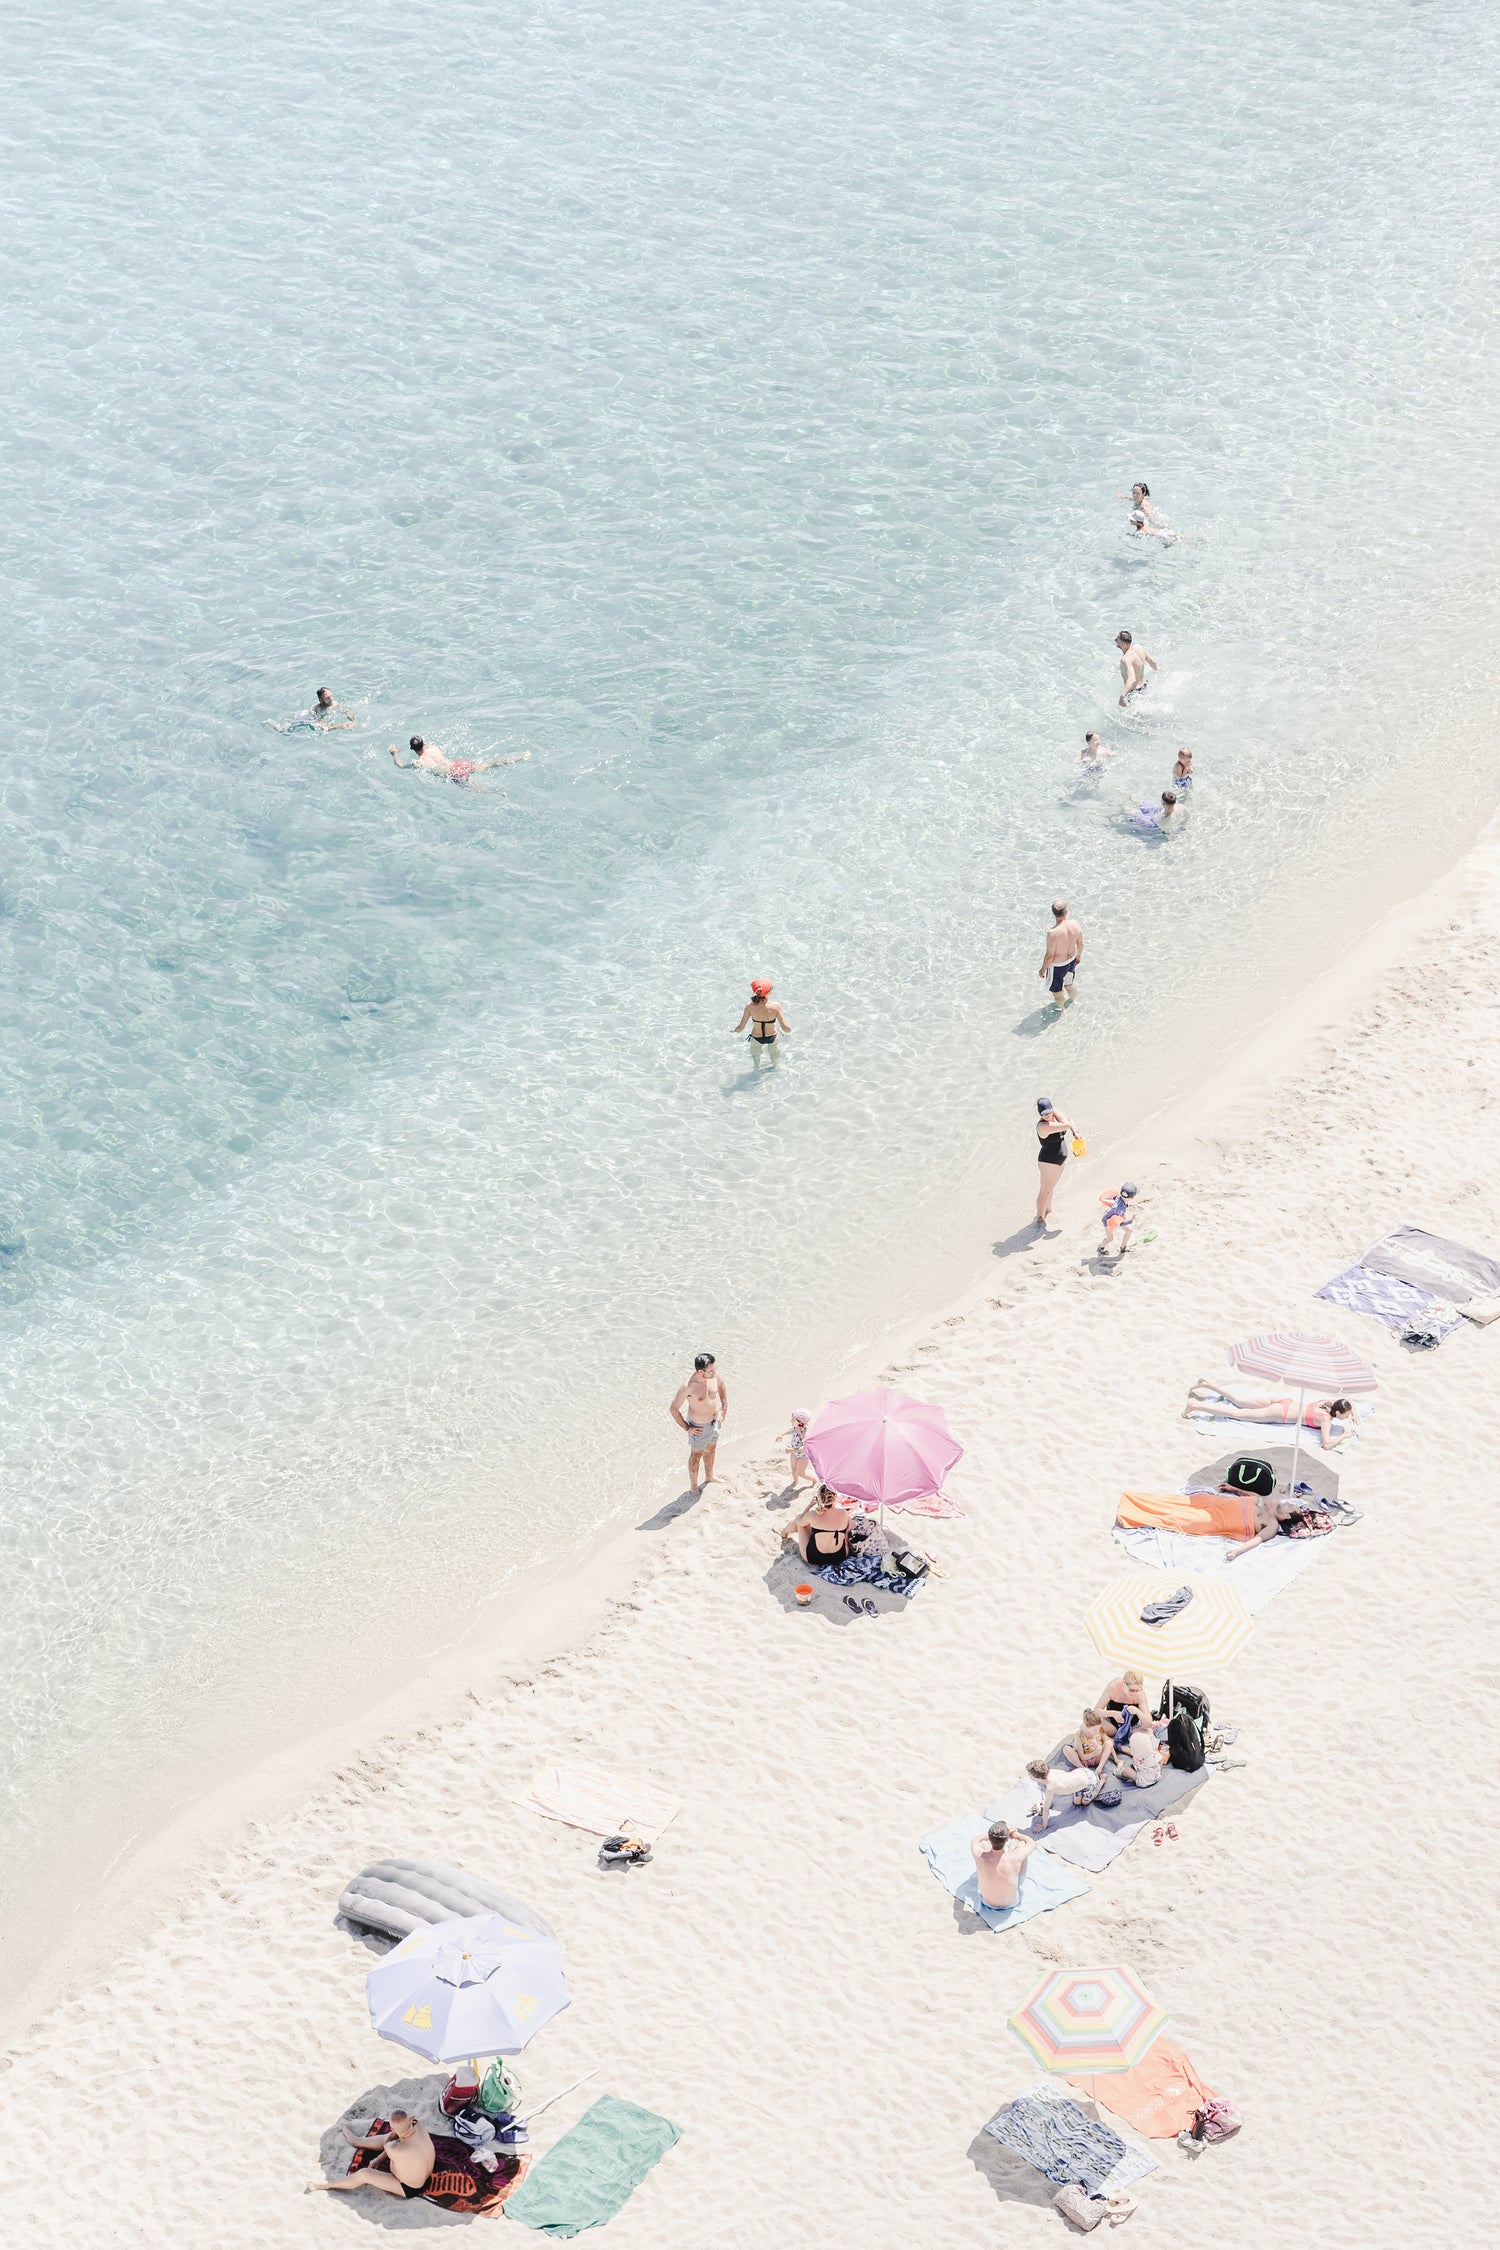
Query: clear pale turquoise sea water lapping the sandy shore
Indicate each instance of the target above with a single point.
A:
(732, 413)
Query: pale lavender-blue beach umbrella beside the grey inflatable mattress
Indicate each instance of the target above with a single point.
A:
(467, 1988)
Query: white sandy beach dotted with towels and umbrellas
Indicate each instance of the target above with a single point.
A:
(788, 1981)
